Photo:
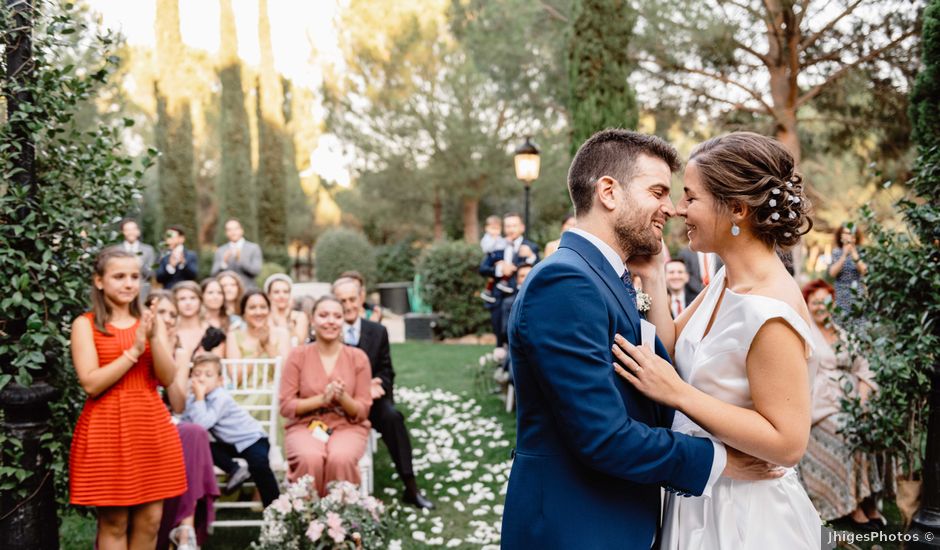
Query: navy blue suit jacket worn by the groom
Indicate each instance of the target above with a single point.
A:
(591, 451)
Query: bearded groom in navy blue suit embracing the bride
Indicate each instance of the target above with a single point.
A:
(591, 451)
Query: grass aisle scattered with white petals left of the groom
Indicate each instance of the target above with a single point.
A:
(462, 437)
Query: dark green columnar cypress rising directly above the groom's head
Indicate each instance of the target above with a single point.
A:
(599, 65)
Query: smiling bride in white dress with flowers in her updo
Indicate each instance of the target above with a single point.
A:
(741, 348)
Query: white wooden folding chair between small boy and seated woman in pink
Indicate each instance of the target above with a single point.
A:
(257, 380)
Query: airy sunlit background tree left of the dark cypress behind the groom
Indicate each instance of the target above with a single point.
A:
(419, 106)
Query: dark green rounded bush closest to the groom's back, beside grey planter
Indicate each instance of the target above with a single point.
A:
(450, 284)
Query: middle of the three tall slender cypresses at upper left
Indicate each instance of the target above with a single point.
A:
(236, 185)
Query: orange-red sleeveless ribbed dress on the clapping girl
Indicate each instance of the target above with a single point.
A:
(125, 450)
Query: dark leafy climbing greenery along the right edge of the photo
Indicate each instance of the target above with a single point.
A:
(903, 284)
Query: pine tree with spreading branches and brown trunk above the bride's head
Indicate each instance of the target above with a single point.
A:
(769, 59)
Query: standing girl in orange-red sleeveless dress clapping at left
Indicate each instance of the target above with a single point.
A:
(126, 455)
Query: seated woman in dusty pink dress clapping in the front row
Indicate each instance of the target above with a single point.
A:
(326, 382)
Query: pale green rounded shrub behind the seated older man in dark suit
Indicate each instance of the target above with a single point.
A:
(340, 250)
